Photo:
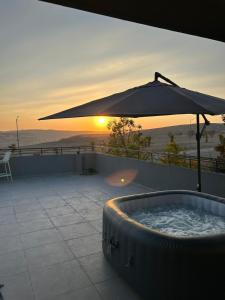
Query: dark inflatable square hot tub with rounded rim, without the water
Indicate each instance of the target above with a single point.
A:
(162, 266)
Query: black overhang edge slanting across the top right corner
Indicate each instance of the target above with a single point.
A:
(201, 18)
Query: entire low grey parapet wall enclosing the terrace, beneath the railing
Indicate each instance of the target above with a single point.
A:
(156, 176)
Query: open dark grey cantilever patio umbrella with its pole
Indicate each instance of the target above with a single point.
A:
(152, 99)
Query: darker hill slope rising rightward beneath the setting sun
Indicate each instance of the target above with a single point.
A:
(184, 135)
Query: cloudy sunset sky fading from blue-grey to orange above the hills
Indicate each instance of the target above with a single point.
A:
(53, 58)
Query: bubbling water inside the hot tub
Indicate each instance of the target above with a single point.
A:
(180, 221)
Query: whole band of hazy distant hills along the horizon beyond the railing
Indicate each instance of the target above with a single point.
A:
(184, 135)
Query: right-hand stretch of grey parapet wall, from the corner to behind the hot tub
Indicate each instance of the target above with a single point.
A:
(162, 177)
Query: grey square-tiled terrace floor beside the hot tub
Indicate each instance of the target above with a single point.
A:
(50, 246)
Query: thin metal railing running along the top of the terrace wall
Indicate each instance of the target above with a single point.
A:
(208, 164)
